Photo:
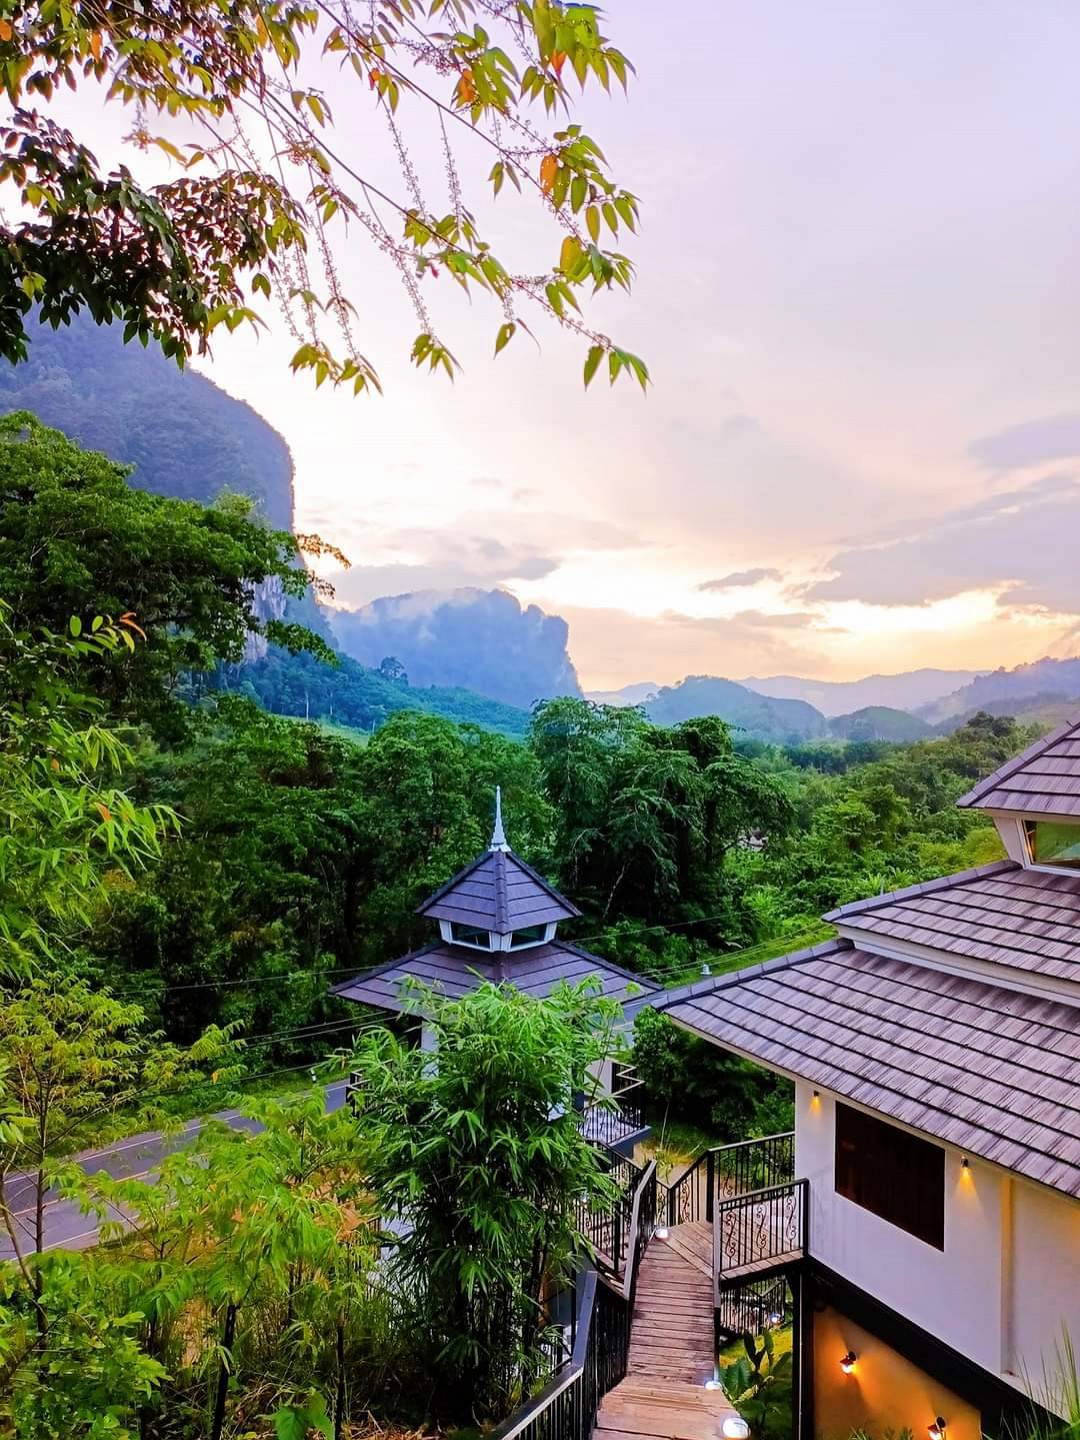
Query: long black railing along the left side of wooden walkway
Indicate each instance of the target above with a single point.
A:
(567, 1408)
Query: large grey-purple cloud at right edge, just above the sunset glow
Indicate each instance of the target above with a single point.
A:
(1017, 544)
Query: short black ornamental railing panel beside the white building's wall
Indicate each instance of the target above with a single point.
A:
(760, 1232)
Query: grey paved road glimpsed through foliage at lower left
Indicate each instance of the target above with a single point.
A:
(66, 1226)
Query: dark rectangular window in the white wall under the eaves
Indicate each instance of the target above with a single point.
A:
(894, 1174)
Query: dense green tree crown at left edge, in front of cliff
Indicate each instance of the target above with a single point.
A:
(77, 539)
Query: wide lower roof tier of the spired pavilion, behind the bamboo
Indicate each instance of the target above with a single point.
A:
(456, 971)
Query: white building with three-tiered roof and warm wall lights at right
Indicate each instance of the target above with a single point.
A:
(935, 1049)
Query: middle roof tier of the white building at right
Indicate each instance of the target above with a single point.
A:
(1002, 914)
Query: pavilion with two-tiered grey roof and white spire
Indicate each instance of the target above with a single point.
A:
(499, 921)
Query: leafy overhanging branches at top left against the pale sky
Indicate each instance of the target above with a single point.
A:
(267, 189)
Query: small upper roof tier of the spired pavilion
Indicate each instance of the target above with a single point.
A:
(499, 892)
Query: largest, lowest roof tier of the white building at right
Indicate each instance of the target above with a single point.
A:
(990, 1071)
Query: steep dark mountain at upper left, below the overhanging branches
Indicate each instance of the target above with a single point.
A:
(185, 437)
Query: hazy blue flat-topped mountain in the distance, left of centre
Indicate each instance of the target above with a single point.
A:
(477, 639)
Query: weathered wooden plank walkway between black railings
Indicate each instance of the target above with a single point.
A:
(673, 1349)
